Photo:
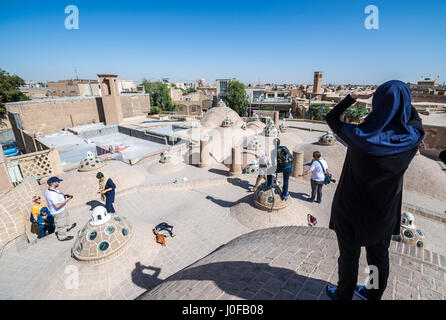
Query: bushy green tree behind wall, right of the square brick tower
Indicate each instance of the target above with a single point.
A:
(160, 100)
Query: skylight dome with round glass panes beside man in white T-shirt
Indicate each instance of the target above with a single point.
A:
(103, 237)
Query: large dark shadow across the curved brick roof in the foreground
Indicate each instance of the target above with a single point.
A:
(249, 281)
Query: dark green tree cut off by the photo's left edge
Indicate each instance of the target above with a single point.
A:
(9, 90)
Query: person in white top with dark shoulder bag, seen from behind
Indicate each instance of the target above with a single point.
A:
(319, 176)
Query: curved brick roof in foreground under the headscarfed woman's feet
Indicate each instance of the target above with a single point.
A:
(287, 263)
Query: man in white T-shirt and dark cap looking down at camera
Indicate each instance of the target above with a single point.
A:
(57, 204)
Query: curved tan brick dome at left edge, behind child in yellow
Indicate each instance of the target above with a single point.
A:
(15, 208)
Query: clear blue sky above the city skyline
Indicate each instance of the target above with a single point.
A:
(253, 41)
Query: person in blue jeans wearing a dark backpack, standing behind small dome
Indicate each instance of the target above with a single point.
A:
(283, 164)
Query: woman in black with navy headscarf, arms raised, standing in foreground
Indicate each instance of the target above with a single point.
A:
(366, 207)
